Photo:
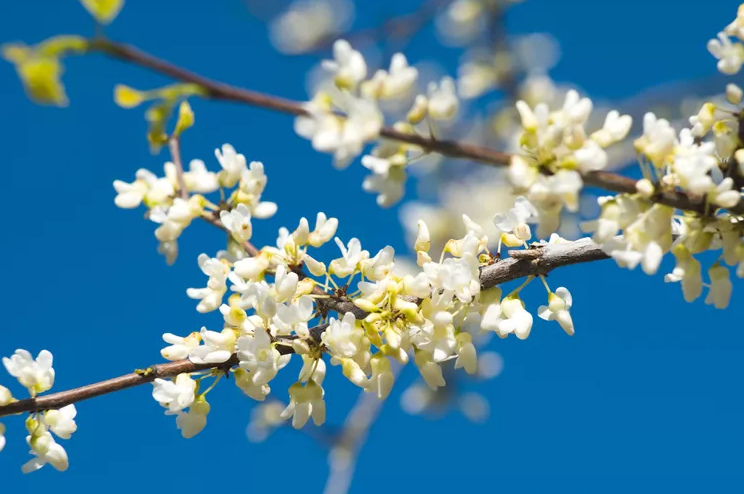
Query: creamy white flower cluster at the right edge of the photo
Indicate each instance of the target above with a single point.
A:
(706, 163)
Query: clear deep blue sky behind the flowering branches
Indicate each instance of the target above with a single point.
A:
(647, 396)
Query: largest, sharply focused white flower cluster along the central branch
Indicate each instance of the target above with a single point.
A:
(277, 310)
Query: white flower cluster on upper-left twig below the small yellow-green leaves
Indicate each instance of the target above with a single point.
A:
(173, 209)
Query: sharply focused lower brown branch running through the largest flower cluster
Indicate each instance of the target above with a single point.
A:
(537, 261)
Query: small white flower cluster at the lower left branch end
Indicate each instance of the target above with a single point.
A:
(37, 376)
